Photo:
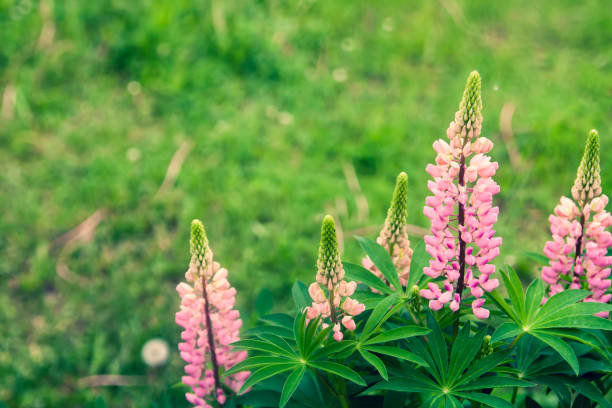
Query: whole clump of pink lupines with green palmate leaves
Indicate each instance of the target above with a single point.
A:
(380, 335)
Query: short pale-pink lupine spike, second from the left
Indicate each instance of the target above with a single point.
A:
(331, 293)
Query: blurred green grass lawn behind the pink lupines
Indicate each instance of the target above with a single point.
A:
(273, 101)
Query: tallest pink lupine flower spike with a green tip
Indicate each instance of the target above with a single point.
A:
(461, 211)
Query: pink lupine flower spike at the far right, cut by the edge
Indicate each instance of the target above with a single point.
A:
(580, 241)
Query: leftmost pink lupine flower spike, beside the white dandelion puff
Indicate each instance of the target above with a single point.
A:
(210, 325)
